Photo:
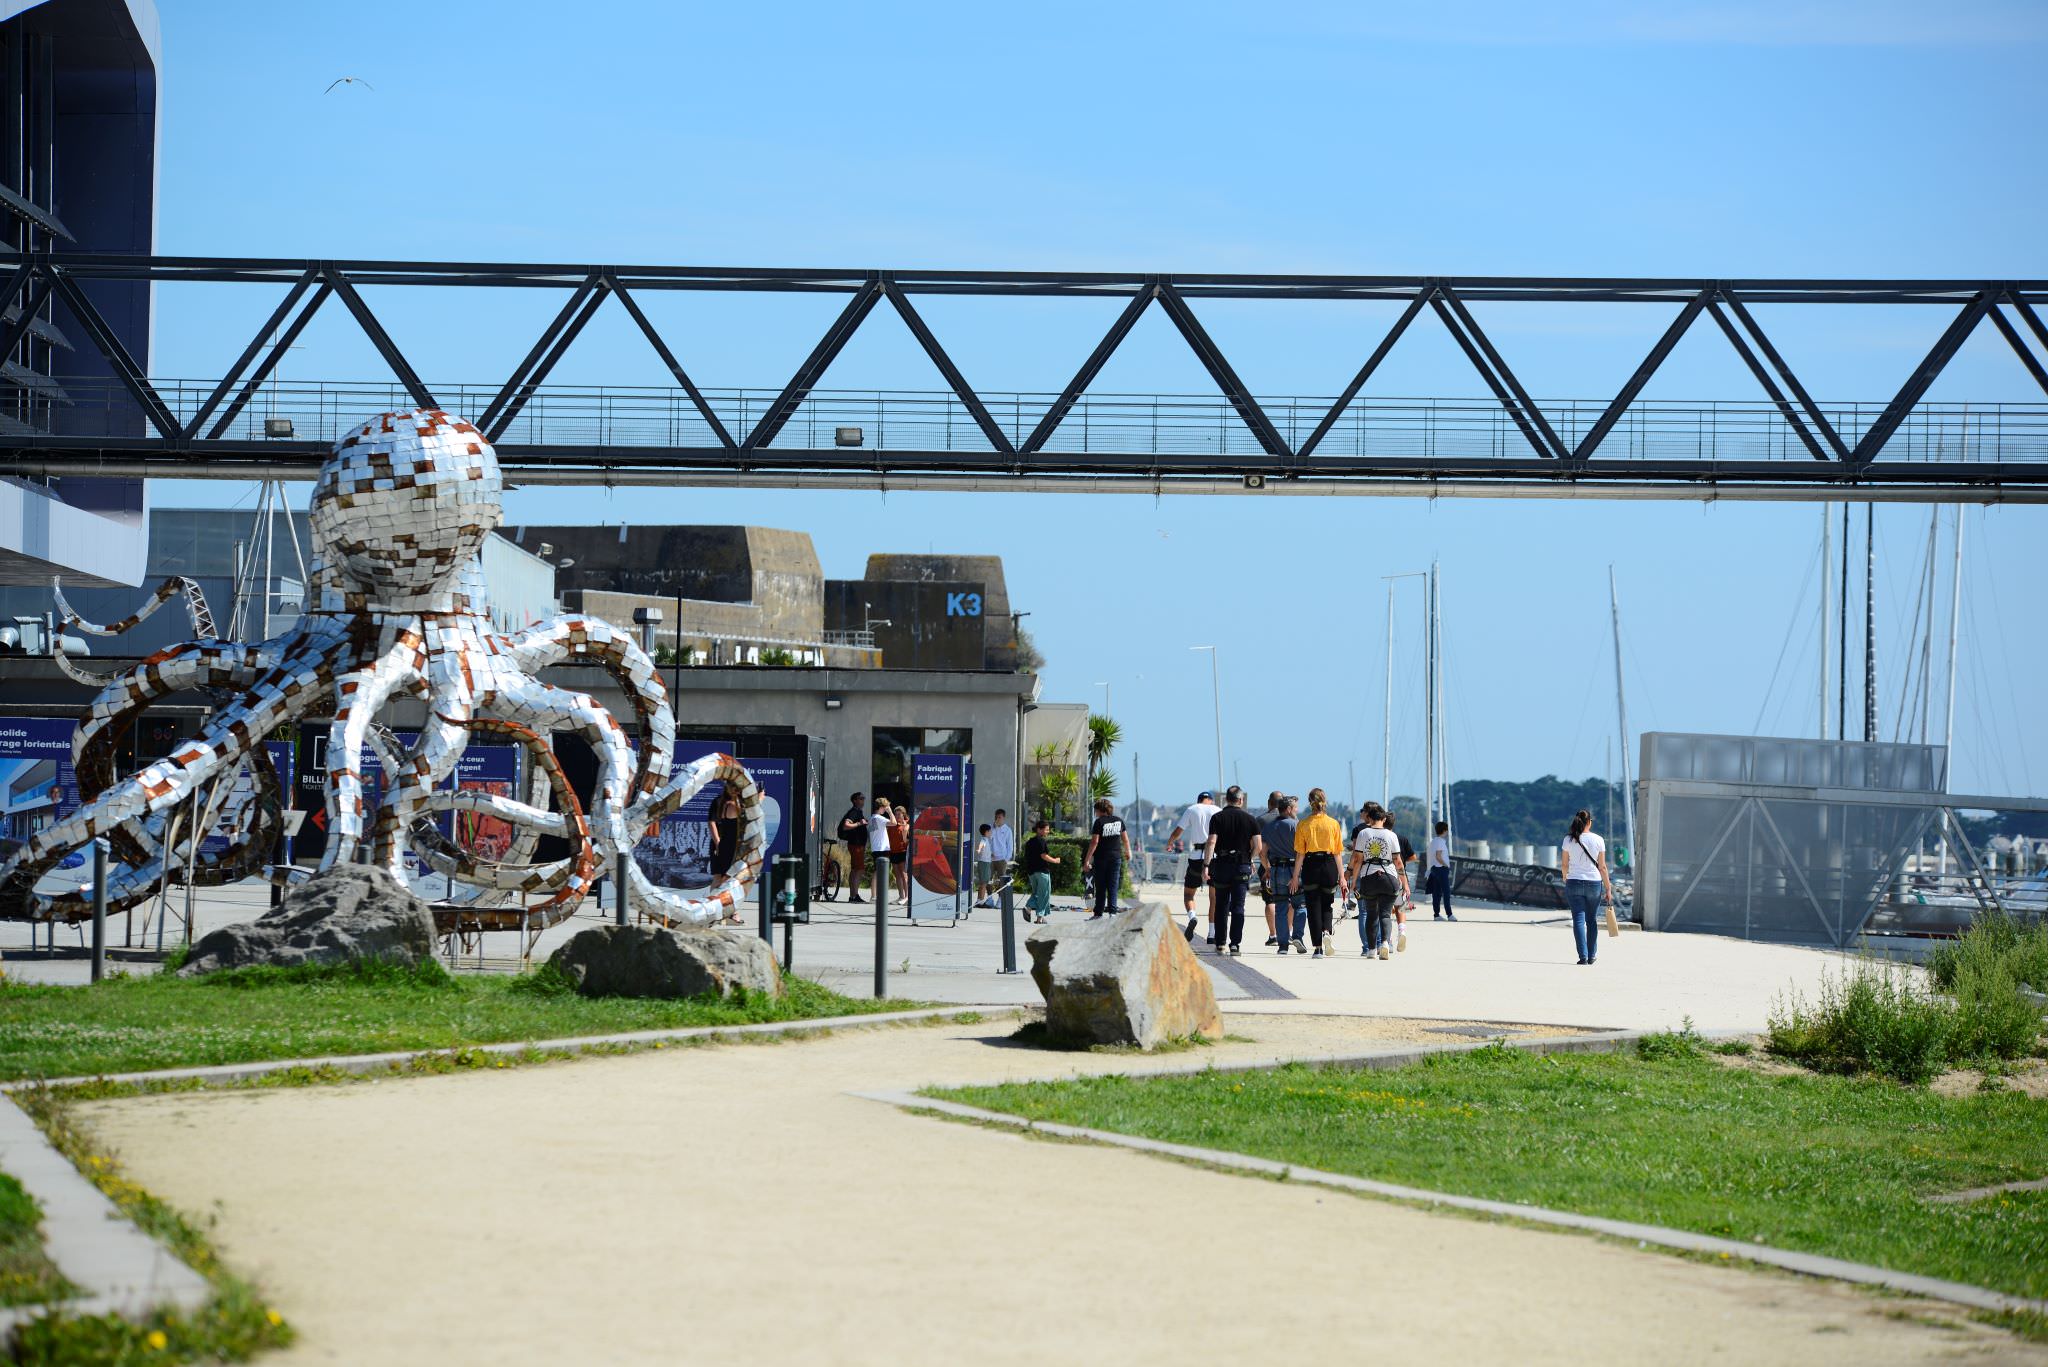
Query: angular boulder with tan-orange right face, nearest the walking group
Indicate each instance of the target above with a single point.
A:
(1127, 979)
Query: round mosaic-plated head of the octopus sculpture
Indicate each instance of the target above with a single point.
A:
(404, 503)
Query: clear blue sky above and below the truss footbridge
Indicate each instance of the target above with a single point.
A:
(1732, 140)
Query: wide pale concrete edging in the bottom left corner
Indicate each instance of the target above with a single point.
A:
(95, 1247)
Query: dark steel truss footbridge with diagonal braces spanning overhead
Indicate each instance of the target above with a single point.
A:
(2010, 304)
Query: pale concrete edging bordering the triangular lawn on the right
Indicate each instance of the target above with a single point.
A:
(1787, 1259)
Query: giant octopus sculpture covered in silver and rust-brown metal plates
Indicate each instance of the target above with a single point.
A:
(400, 515)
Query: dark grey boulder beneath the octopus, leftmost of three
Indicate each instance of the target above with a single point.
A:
(345, 913)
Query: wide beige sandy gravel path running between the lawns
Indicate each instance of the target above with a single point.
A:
(736, 1206)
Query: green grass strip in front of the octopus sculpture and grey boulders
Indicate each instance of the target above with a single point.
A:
(134, 1024)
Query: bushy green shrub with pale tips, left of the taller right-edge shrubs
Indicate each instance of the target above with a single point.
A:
(1871, 1022)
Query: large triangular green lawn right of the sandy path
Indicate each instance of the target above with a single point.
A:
(1826, 1165)
